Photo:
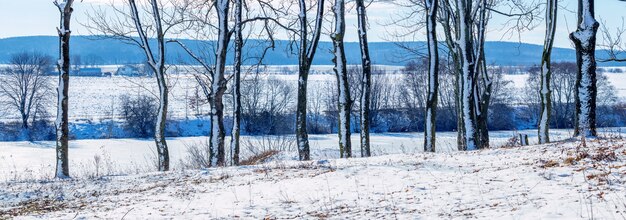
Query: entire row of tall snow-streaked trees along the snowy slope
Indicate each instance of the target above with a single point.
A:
(463, 23)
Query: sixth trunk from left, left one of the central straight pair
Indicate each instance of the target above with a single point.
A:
(344, 102)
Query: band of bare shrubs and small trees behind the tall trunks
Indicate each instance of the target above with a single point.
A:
(268, 104)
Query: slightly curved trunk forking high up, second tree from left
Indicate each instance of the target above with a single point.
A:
(157, 64)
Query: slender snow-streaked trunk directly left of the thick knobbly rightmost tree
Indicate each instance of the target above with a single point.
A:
(545, 91)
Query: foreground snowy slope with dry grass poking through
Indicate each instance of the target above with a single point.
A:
(567, 180)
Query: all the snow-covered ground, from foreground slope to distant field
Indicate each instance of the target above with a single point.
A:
(115, 178)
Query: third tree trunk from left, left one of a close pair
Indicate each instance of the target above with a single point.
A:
(218, 87)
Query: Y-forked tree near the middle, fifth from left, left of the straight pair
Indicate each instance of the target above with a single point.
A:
(306, 53)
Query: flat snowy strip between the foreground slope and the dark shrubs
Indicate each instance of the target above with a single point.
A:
(35, 160)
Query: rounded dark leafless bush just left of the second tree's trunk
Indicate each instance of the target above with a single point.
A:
(139, 114)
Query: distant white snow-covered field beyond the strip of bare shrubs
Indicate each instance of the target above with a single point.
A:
(93, 98)
